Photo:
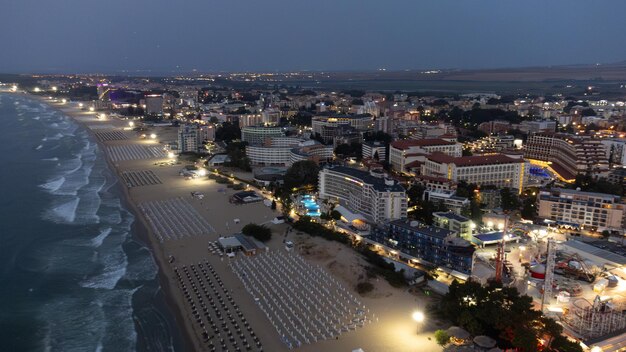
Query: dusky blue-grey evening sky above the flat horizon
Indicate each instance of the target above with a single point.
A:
(237, 35)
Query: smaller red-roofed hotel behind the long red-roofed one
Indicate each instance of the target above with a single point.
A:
(407, 151)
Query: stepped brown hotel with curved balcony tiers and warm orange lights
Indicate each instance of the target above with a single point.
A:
(567, 154)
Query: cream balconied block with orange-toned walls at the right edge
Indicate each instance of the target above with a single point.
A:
(597, 210)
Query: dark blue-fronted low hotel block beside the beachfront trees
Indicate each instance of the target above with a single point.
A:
(426, 245)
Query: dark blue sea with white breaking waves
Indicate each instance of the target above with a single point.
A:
(74, 276)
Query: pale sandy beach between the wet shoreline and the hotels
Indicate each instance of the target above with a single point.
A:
(391, 329)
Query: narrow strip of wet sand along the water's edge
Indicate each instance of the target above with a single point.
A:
(142, 231)
